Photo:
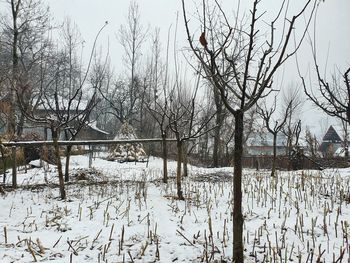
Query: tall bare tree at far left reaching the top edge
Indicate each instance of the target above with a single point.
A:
(24, 34)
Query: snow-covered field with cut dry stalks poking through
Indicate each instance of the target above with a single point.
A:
(122, 212)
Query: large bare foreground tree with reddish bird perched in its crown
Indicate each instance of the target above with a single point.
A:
(241, 67)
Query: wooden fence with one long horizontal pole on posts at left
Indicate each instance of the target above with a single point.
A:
(90, 143)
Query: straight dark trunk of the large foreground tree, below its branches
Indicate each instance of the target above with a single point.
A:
(237, 190)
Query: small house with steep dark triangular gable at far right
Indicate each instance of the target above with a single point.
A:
(331, 142)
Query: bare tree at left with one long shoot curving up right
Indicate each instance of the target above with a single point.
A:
(54, 109)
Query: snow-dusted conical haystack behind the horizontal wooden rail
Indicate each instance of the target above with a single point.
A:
(127, 152)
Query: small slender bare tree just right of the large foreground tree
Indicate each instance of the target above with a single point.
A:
(273, 125)
